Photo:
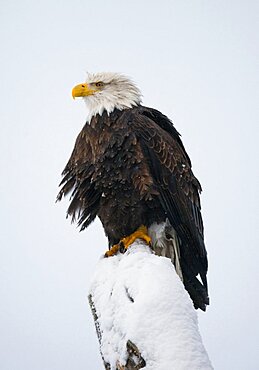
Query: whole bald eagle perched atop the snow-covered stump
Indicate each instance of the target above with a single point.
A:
(129, 168)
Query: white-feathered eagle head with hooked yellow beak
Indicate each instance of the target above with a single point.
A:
(106, 91)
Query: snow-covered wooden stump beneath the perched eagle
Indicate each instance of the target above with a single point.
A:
(144, 317)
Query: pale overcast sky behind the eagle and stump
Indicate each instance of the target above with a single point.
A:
(193, 60)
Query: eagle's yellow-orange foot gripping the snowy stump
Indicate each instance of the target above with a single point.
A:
(125, 243)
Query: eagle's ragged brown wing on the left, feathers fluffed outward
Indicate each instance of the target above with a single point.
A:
(77, 182)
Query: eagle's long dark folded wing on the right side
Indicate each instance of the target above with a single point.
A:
(177, 186)
